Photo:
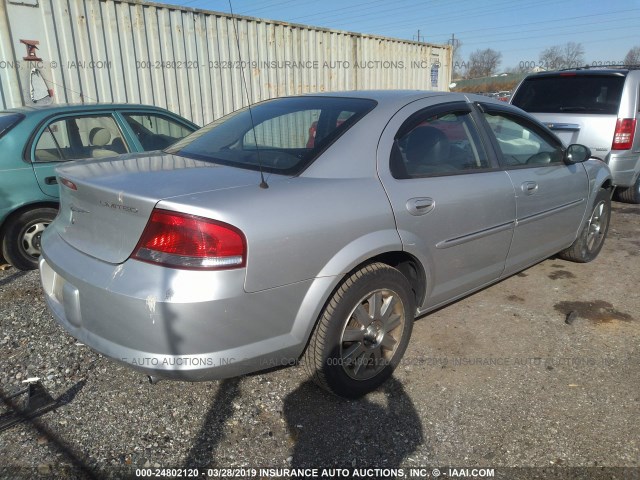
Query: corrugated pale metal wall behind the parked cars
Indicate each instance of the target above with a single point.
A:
(187, 60)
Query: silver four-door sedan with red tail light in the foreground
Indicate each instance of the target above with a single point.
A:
(313, 229)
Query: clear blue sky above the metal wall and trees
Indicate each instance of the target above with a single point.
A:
(518, 29)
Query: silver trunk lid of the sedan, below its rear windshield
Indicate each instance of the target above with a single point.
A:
(106, 204)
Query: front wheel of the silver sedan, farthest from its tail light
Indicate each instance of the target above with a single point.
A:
(591, 239)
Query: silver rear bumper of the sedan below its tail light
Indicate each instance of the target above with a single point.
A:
(178, 324)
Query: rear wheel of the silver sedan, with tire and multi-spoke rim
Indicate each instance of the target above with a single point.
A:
(363, 332)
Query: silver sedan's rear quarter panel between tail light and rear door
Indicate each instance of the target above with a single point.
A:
(301, 228)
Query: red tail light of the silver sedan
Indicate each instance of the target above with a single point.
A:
(186, 241)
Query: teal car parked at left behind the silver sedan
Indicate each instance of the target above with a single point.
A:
(35, 140)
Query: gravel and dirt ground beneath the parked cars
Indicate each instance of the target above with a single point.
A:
(499, 379)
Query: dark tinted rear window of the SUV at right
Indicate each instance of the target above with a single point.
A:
(597, 94)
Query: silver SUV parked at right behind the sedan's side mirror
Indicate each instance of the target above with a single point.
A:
(595, 107)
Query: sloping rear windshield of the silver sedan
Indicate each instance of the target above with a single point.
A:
(280, 136)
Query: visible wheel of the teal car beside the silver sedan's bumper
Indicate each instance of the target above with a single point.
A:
(21, 240)
